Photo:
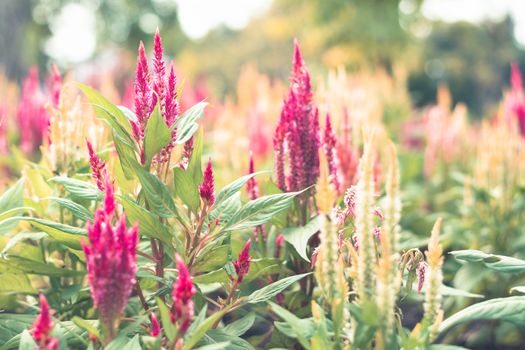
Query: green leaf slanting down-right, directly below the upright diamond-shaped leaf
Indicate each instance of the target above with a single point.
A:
(157, 194)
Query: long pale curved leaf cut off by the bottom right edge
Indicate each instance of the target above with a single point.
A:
(509, 309)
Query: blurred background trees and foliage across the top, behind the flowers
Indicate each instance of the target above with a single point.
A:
(360, 35)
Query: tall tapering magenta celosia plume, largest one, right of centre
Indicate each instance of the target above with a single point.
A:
(297, 134)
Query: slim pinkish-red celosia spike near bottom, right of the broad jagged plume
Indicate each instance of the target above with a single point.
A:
(183, 290)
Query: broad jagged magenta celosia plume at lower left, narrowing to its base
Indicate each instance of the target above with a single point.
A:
(111, 261)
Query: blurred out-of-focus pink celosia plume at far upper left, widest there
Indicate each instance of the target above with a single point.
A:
(32, 117)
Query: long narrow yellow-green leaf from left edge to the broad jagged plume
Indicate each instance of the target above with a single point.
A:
(65, 234)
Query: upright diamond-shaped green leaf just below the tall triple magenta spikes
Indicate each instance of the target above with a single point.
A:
(156, 136)
